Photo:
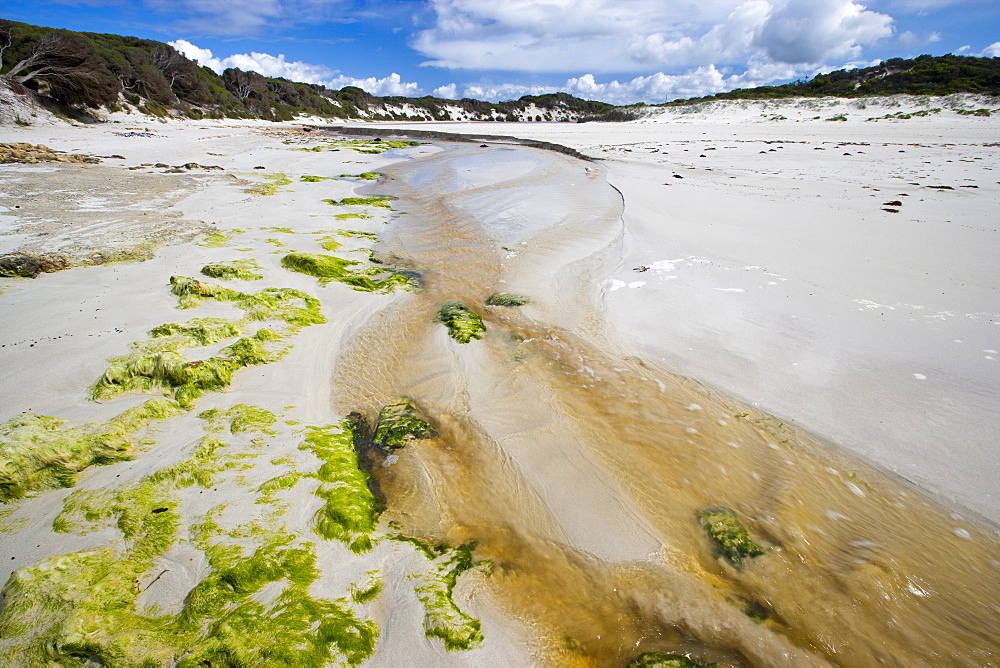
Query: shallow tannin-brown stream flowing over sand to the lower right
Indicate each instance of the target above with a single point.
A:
(579, 469)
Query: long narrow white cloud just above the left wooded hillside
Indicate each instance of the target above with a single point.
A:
(296, 70)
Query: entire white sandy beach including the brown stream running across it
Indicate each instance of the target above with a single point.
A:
(754, 256)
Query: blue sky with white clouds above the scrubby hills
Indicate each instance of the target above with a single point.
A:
(618, 51)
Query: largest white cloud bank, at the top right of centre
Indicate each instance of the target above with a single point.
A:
(606, 36)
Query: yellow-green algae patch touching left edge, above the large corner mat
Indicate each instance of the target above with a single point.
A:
(39, 452)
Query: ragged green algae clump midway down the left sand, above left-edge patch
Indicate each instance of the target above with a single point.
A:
(188, 379)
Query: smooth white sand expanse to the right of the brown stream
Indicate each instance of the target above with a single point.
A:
(776, 275)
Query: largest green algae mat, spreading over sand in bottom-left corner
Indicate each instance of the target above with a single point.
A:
(82, 607)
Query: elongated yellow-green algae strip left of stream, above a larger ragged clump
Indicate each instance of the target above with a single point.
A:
(293, 307)
